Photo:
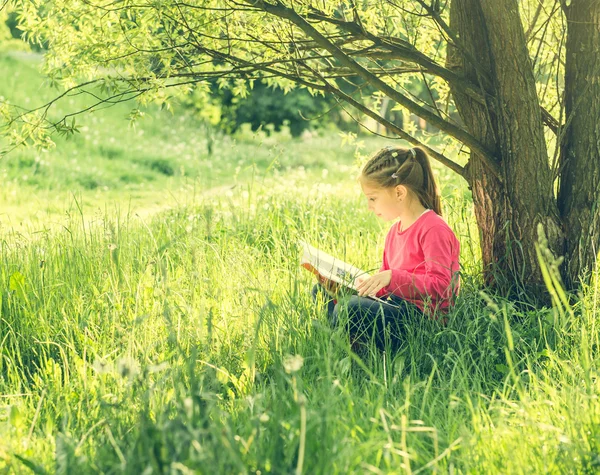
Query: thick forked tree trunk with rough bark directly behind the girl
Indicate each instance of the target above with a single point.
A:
(508, 209)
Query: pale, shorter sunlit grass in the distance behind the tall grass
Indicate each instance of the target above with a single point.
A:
(111, 165)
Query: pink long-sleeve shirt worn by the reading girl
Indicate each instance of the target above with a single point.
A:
(424, 263)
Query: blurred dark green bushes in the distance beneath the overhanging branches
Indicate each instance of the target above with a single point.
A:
(264, 107)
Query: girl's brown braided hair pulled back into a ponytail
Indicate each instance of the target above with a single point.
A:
(410, 167)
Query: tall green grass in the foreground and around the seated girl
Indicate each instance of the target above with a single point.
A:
(190, 344)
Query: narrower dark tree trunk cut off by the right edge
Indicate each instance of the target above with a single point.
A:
(579, 191)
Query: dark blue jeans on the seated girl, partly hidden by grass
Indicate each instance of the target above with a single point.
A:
(368, 318)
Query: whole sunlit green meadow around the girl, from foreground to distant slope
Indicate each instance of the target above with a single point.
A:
(154, 317)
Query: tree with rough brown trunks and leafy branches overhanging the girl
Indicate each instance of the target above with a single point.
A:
(522, 75)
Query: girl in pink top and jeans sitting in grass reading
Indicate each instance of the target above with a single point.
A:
(419, 273)
